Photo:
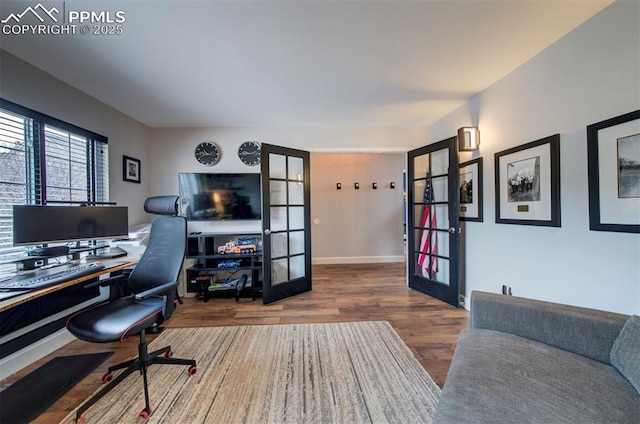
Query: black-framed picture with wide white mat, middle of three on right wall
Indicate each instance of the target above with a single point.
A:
(527, 183)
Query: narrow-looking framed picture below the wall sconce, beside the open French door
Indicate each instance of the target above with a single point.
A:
(471, 176)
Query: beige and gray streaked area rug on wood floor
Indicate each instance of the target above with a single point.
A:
(359, 372)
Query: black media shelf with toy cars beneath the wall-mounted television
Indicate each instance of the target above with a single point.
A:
(221, 260)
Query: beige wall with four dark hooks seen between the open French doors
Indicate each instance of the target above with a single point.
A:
(357, 226)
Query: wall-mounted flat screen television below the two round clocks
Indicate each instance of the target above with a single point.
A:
(221, 197)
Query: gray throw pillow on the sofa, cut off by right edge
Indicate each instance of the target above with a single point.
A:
(625, 355)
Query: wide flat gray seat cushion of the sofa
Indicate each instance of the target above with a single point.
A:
(498, 378)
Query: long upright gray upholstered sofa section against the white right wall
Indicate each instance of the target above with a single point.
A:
(587, 332)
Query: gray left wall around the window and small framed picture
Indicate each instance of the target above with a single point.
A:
(30, 87)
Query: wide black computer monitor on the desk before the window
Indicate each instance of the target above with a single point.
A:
(51, 224)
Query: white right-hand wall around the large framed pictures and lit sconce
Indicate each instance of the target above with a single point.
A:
(590, 75)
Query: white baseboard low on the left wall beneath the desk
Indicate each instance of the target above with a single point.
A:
(28, 355)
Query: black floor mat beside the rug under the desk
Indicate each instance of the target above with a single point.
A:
(30, 396)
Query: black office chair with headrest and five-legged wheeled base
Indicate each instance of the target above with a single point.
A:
(153, 284)
